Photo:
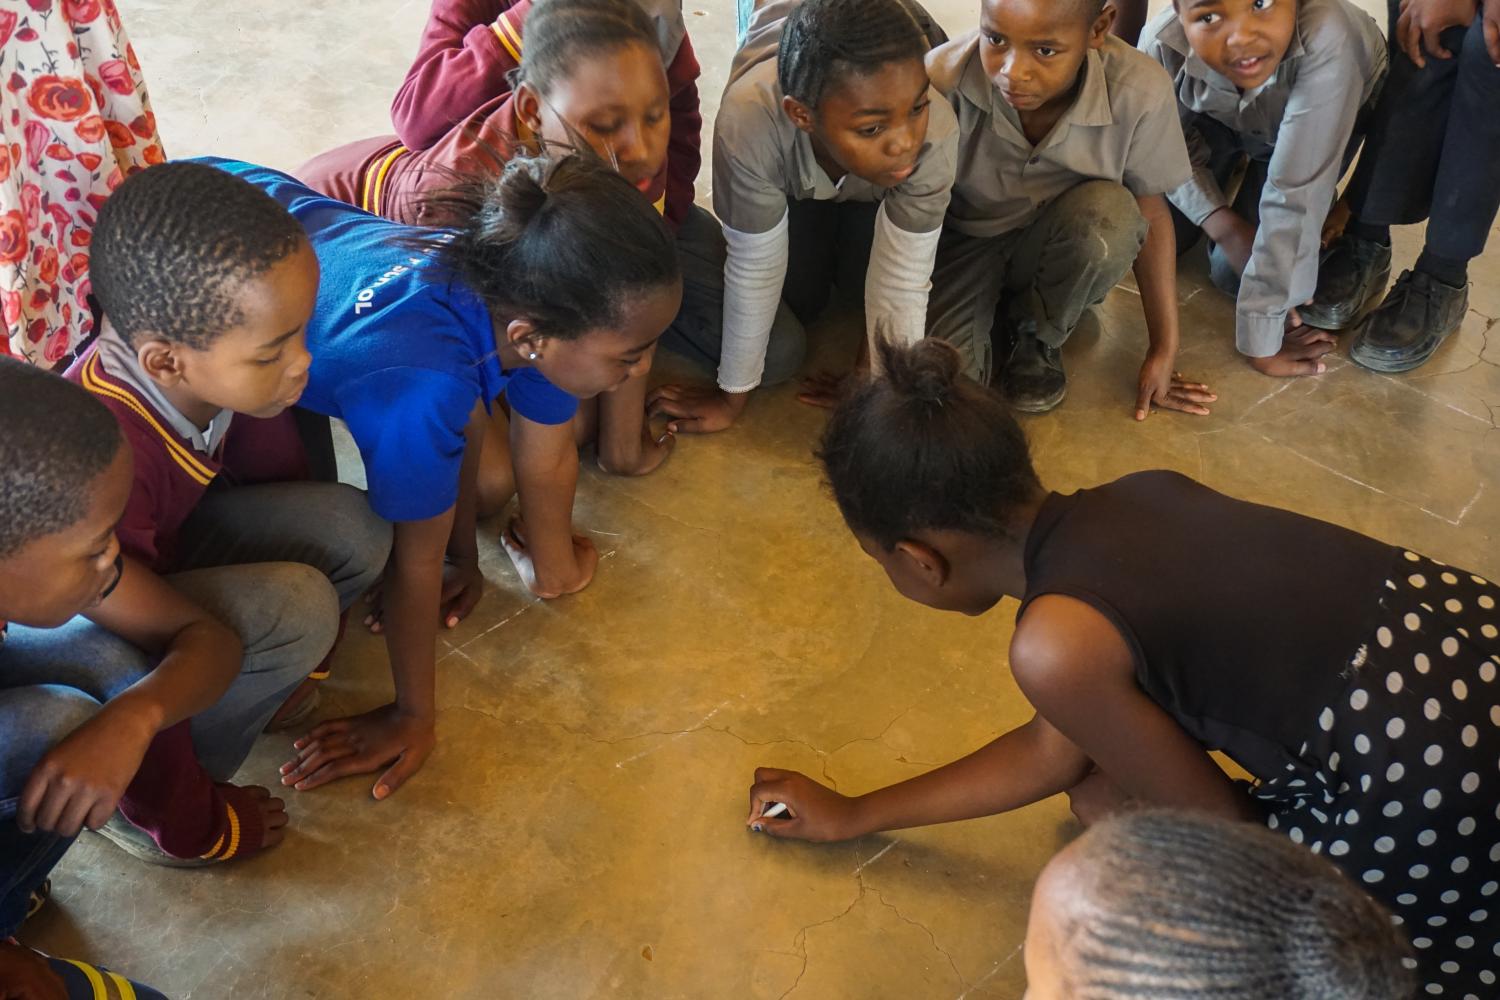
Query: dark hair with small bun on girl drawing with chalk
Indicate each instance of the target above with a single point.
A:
(925, 448)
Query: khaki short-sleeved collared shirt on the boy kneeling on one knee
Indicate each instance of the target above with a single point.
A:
(1123, 128)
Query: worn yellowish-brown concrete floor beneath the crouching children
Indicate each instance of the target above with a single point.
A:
(580, 830)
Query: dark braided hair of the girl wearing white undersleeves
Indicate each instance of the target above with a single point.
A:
(826, 41)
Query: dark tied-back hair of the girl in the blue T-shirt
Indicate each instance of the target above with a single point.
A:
(563, 242)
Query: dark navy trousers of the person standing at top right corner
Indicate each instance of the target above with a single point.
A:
(1433, 146)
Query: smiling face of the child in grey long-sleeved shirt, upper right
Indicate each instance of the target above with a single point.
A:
(1244, 41)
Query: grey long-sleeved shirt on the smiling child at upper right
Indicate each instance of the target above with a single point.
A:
(1301, 121)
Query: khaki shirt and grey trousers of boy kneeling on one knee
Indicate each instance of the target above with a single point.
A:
(1049, 229)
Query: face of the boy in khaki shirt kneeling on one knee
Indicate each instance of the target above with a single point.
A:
(1033, 50)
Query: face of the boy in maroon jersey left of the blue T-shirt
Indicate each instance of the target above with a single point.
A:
(259, 368)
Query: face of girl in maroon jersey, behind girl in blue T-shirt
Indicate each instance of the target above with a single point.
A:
(617, 101)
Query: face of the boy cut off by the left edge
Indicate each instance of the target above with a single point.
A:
(68, 572)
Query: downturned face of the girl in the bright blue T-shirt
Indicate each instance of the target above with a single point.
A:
(604, 361)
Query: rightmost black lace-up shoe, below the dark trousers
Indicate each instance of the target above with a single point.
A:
(1414, 320)
